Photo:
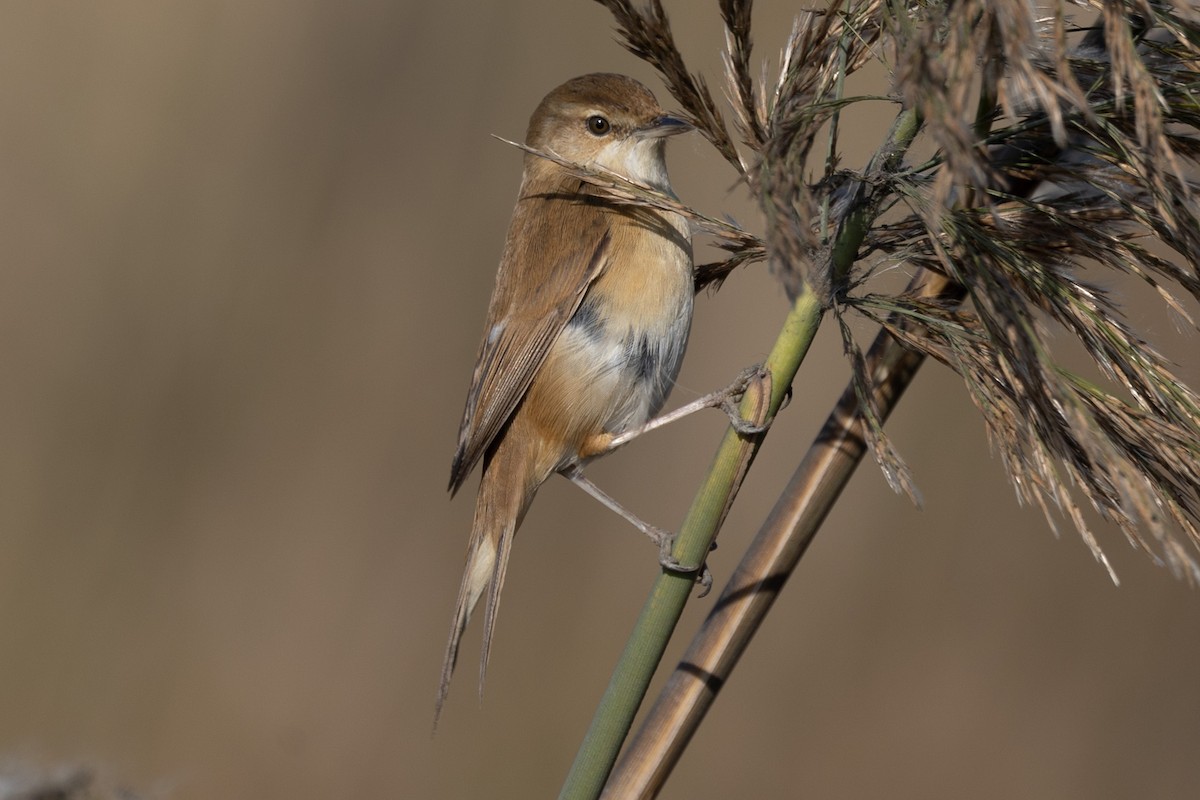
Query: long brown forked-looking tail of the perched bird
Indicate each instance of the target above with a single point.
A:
(505, 497)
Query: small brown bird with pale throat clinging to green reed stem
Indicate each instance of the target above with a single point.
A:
(586, 329)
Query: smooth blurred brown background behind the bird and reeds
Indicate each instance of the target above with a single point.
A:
(248, 250)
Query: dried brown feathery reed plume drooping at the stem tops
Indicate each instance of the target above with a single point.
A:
(1059, 149)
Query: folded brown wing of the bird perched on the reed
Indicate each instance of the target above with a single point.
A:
(557, 248)
